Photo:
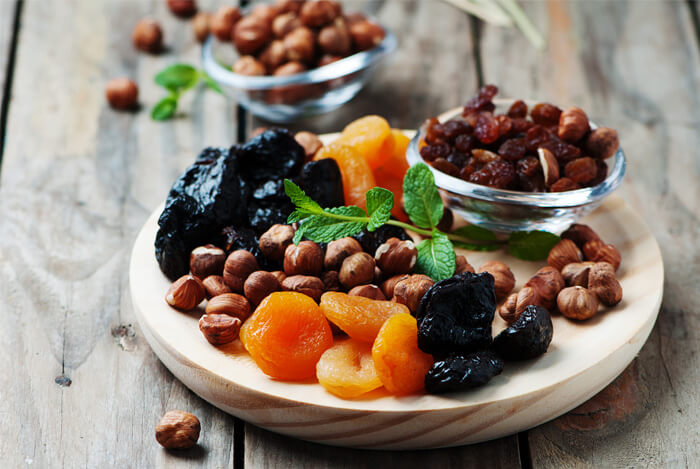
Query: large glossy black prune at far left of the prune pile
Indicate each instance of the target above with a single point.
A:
(208, 196)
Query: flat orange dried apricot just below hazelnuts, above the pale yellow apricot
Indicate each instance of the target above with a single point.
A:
(360, 317)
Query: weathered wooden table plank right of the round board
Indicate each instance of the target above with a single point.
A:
(634, 67)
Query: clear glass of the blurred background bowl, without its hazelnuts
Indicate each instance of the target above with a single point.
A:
(287, 98)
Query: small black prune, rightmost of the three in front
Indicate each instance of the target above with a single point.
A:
(528, 337)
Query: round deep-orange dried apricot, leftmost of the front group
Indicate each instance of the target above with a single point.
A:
(286, 335)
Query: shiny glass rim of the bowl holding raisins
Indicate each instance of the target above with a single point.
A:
(573, 198)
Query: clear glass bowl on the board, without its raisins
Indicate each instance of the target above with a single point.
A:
(505, 211)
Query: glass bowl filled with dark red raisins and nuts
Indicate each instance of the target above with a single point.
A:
(514, 165)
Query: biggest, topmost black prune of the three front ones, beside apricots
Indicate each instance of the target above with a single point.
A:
(455, 314)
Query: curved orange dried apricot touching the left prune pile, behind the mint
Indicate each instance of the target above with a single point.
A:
(356, 173)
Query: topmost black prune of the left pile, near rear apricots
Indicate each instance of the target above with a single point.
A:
(274, 154)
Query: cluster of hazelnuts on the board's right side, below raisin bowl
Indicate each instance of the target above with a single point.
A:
(580, 274)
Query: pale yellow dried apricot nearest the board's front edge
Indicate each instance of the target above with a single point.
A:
(347, 369)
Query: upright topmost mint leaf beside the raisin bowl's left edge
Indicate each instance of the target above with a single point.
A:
(421, 198)
